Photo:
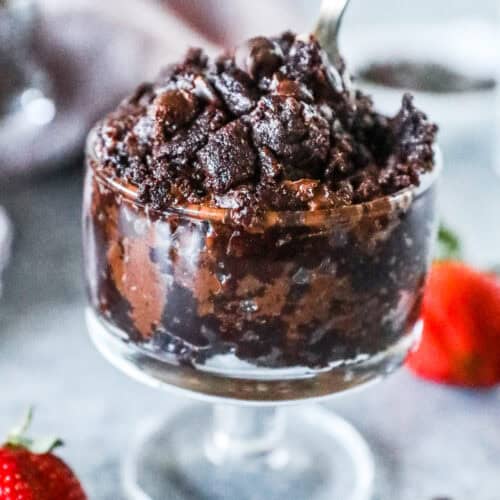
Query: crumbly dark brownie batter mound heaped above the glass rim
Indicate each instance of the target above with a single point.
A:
(268, 126)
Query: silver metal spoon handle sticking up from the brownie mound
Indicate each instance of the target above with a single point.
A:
(328, 27)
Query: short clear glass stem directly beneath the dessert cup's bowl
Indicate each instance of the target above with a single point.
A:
(243, 432)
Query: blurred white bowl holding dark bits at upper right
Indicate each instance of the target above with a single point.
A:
(458, 92)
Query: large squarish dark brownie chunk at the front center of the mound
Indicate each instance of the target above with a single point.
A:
(228, 158)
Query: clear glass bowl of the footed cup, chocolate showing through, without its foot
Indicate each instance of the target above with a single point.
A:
(303, 306)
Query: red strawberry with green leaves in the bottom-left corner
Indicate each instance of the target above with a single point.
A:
(29, 470)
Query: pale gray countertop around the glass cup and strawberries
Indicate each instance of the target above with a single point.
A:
(429, 440)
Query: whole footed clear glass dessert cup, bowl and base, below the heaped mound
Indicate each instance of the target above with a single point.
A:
(302, 307)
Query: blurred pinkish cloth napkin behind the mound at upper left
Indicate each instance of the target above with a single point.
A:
(98, 51)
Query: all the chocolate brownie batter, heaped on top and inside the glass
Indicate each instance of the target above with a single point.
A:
(253, 208)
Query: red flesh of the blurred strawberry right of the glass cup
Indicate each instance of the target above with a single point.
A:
(461, 339)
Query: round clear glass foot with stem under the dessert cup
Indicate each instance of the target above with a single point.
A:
(238, 453)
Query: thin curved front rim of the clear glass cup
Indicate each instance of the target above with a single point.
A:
(378, 206)
